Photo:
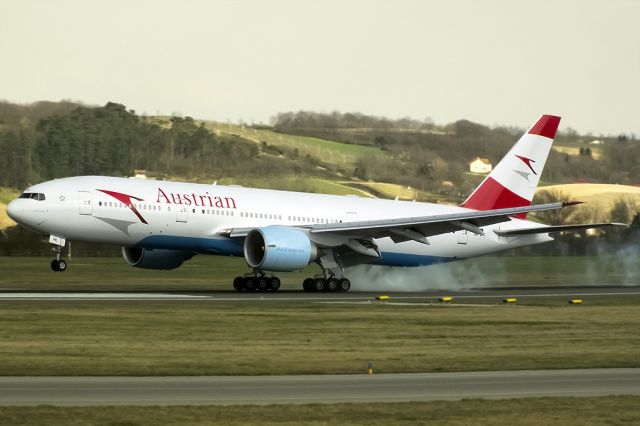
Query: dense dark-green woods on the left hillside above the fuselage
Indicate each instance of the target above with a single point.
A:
(111, 140)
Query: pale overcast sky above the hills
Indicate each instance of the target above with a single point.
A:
(493, 62)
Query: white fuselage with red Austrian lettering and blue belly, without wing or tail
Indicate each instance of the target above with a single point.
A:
(193, 217)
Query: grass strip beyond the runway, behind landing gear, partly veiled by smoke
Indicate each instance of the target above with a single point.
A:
(214, 272)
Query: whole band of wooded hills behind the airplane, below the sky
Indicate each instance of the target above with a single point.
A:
(47, 140)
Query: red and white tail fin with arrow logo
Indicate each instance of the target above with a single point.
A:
(514, 180)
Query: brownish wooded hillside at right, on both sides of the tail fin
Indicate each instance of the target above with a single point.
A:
(434, 153)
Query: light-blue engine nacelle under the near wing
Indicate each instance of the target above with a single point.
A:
(278, 248)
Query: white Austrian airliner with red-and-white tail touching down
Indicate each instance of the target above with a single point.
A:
(162, 224)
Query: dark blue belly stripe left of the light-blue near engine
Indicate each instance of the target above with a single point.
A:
(221, 246)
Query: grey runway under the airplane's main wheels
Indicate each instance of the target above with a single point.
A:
(475, 295)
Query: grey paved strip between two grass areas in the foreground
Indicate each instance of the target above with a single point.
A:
(315, 389)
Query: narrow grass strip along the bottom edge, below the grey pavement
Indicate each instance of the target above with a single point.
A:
(614, 410)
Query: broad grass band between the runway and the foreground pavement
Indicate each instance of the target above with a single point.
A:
(208, 337)
